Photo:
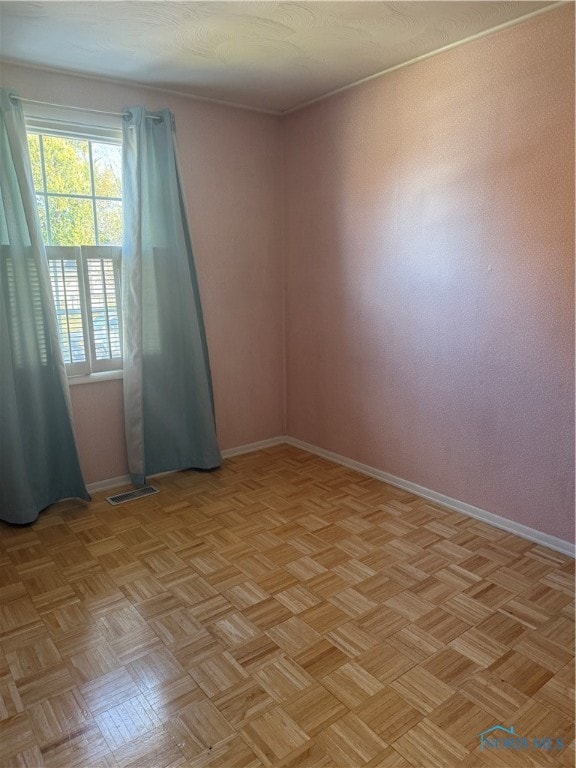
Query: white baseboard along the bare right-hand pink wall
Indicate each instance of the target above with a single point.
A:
(524, 531)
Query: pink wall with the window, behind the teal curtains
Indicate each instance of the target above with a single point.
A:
(231, 162)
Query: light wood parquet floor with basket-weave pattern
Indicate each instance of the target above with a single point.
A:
(282, 611)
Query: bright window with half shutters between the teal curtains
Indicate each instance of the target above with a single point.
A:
(78, 181)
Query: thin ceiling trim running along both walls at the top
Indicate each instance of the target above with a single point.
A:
(275, 113)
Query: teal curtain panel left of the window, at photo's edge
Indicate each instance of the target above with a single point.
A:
(38, 457)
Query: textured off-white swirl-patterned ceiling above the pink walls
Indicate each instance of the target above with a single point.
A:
(272, 56)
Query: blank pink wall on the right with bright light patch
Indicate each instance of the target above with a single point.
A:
(429, 273)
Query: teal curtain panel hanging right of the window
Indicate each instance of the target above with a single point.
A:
(168, 402)
